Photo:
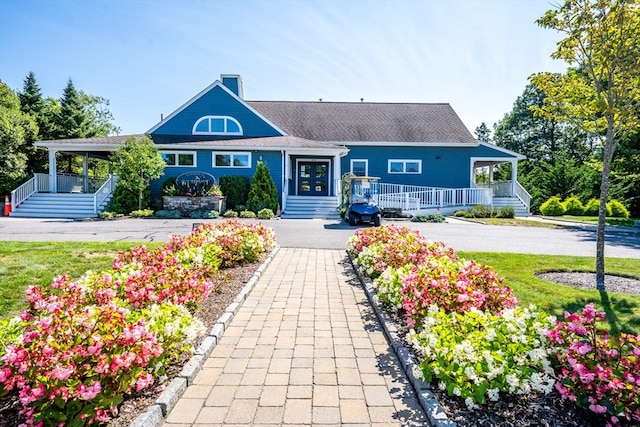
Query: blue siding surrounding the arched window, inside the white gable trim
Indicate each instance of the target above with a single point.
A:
(217, 102)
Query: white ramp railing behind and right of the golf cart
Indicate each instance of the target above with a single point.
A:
(412, 198)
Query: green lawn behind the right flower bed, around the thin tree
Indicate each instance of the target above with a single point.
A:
(518, 270)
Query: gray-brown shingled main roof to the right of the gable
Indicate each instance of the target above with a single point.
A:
(366, 121)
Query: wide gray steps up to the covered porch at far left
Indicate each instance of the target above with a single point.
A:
(59, 205)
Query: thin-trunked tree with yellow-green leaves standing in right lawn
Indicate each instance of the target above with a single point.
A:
(602, 94)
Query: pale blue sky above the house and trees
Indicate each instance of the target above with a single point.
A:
(151, 56)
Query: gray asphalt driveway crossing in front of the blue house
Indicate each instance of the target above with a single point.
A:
(323, 234)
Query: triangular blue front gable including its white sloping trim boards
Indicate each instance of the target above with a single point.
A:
(217, 101)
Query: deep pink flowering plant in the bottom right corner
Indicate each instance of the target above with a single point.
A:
(595, 370)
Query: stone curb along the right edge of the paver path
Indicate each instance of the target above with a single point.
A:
(432, 408)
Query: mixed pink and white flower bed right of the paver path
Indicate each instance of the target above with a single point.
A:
(478, 345)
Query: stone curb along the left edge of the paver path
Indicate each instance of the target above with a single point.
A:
(154, 415)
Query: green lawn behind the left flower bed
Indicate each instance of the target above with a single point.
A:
(36, 263)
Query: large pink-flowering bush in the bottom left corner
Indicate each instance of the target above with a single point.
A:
(75, 360)
